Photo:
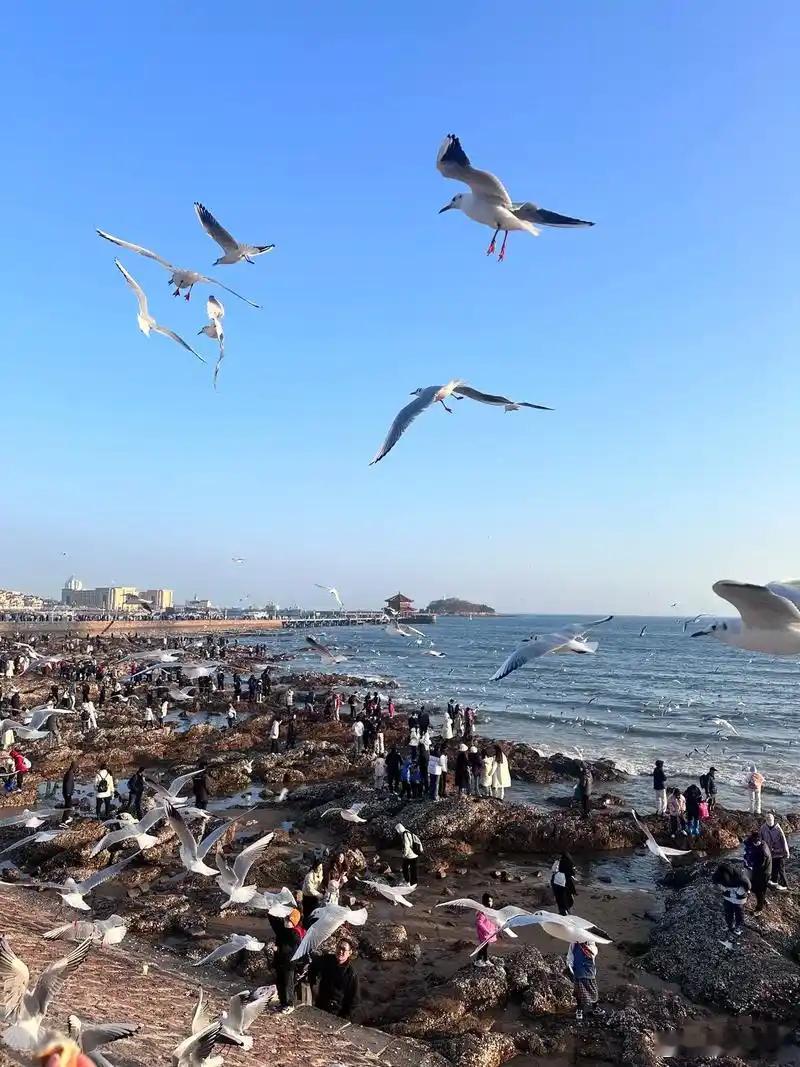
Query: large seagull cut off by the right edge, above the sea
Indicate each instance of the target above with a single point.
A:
(770, 623)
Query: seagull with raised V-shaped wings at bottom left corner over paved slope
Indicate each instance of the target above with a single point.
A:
(26, 1008)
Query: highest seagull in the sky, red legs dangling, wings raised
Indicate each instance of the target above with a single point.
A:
(489, 203)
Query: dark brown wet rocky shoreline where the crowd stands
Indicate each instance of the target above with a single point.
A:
(668, 969)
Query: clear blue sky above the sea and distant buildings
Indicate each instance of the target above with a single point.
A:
(666, 338)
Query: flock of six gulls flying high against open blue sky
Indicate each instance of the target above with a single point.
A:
(488, 203)
